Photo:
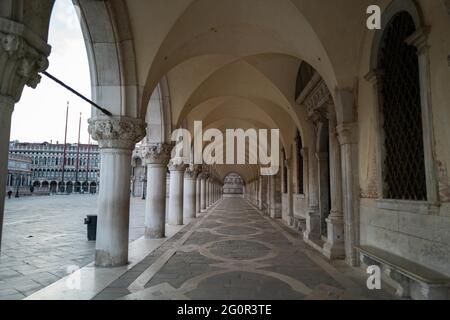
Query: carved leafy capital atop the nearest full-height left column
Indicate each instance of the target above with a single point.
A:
(117, 132)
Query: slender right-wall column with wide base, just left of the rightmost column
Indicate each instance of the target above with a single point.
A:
(334, 247)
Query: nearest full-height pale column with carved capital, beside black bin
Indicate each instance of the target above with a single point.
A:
(117, 137)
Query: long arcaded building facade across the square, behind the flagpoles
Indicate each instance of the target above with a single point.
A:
(46, 168)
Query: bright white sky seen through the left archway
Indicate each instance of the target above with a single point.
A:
(40, 114)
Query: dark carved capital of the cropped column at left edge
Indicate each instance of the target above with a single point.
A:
(20, 64)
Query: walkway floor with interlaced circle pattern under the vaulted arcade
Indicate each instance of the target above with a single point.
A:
(232, 252)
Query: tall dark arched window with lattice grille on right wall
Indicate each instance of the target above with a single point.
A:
(404, 162)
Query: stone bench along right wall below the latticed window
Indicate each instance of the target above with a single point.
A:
(415, 281)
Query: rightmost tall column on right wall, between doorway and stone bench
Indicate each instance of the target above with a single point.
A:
(348, 138)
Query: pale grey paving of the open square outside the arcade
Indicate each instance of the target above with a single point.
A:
(43, 236)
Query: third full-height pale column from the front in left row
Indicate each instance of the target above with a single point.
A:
(176, 192)
